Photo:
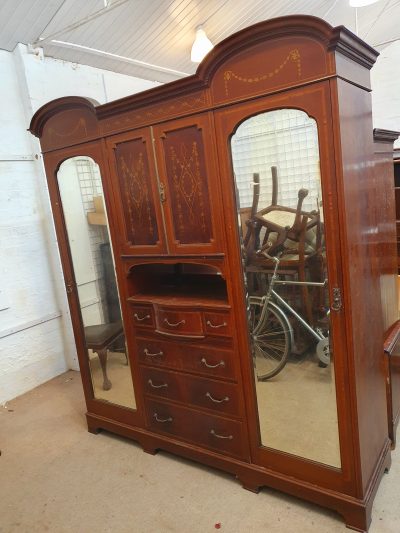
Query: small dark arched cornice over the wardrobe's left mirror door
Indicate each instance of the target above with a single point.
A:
(54, 107)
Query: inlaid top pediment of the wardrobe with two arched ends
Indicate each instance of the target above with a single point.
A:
(196, 93)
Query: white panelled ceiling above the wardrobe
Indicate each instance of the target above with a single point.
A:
(152, 39)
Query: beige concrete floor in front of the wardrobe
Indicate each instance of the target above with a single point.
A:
(57, 477)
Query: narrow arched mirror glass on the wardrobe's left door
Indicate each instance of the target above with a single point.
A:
(85, 217)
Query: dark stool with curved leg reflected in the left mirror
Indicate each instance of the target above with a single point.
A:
(97, 339)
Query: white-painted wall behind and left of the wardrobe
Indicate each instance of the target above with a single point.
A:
(36, 341)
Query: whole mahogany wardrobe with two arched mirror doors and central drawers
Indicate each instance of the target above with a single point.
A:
(241, 208)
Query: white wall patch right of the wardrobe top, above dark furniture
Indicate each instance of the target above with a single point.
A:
(385, 78)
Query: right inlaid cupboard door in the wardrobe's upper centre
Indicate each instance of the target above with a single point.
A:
(186, 160)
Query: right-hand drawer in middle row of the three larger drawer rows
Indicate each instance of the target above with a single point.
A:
(217, 396)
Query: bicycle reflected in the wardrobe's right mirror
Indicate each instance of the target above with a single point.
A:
(271, 331)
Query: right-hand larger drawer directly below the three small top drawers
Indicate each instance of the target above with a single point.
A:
(208, 361)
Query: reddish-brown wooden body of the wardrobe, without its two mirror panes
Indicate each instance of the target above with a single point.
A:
(167, 225)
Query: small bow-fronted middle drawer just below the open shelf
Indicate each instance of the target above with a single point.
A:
(179, 322)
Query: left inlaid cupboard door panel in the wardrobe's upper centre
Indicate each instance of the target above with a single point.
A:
(136, 193)
